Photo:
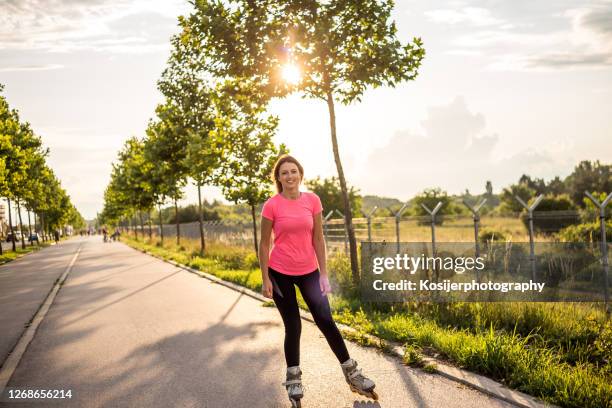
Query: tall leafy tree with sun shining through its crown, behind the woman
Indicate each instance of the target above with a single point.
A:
(341, 47)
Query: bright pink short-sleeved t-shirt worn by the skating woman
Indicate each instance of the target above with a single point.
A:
(292, 222)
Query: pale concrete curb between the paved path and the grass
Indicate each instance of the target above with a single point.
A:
(476, 381)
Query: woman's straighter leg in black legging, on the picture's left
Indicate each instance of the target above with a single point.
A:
(286, 302)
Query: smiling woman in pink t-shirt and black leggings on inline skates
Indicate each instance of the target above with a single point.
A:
(298, 258)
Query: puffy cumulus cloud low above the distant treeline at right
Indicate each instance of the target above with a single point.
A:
(454, 152)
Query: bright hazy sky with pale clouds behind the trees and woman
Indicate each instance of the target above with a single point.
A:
(506, 88)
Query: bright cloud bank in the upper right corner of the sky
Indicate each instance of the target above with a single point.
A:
(578, 38)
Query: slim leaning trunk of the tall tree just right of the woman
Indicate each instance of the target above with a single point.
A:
(348, 216)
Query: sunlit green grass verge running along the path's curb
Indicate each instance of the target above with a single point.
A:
(561, 353)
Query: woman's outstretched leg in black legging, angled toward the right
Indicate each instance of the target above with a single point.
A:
(319, 307)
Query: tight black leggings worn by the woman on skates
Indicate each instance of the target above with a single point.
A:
(286, 302)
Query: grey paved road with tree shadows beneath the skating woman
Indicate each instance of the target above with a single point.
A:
(128, 330)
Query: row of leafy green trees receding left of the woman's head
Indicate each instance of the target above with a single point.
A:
(208, 132)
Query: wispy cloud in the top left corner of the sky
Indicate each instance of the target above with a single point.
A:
(100, 25)
